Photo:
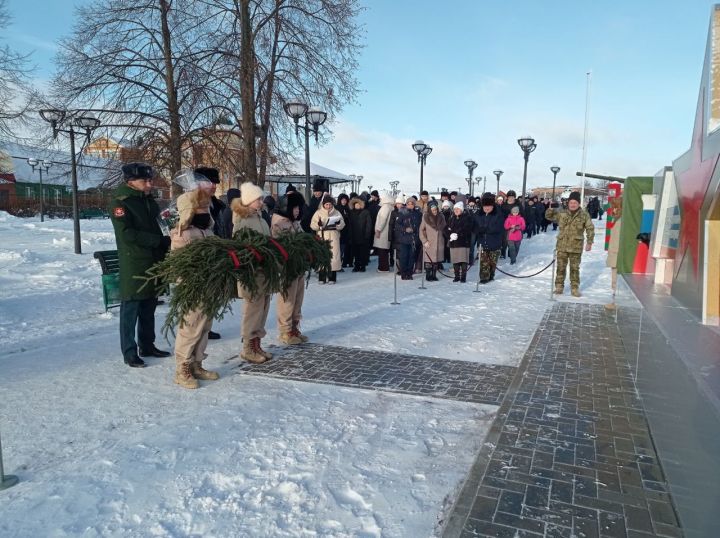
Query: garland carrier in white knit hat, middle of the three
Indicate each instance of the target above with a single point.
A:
(247, 213)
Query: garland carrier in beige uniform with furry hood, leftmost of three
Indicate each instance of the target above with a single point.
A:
(194, 224)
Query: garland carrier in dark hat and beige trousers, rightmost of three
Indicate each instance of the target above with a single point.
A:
(286, 220)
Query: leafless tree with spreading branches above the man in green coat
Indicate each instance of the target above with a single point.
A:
(144, 66)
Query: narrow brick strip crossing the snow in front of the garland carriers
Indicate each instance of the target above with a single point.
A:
(408, 374)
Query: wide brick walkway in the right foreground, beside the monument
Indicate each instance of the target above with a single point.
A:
(570, 453)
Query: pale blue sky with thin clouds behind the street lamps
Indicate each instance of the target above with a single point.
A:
(470, 77)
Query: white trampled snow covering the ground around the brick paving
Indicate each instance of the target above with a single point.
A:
(105, 450)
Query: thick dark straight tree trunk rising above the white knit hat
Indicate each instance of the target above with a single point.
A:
(247, 93)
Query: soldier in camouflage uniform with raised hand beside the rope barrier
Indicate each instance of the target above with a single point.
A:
(573, 222)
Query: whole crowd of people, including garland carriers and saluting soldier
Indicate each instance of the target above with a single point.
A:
(407, 234)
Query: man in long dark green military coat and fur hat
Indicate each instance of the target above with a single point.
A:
(140, 244)
